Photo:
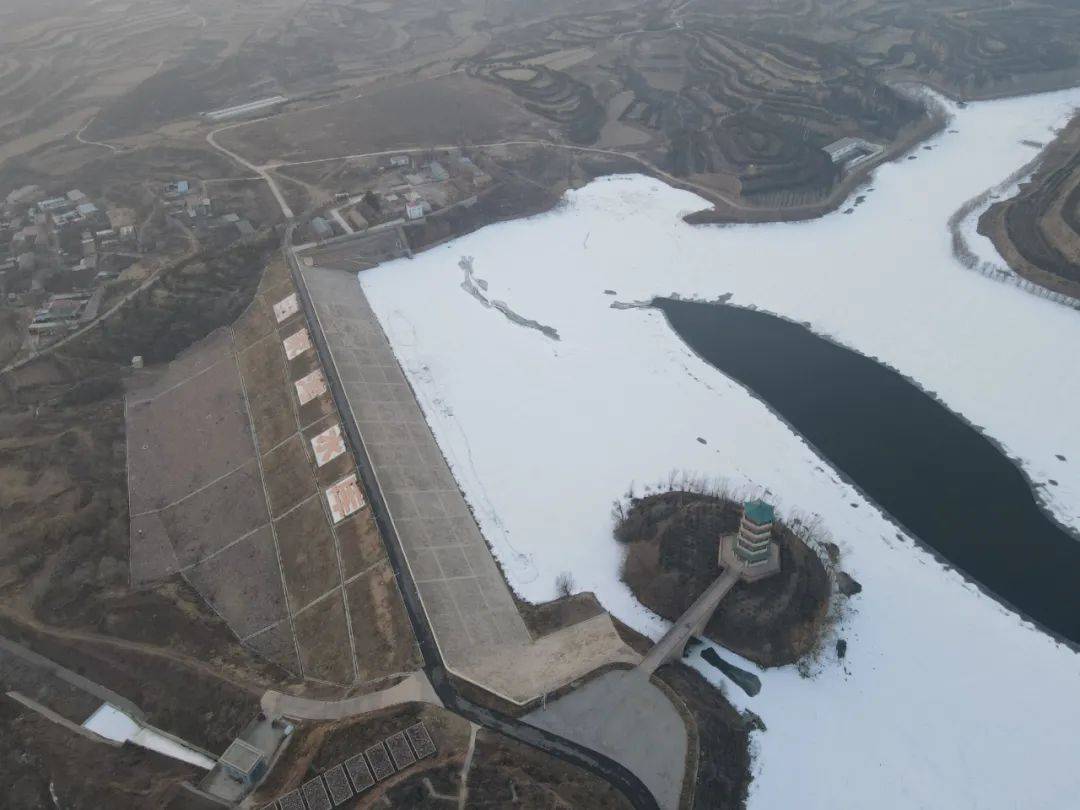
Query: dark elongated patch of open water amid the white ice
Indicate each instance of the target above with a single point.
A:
(937, 476)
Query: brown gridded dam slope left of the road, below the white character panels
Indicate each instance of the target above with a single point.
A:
(213, 437)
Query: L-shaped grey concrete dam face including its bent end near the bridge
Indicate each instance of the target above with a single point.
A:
(476, 623)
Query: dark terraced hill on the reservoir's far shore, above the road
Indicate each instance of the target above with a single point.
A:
(746, 112)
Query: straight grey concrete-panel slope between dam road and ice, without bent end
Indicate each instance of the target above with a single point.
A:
(464, 593)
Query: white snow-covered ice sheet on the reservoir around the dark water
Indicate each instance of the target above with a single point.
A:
(946, 700)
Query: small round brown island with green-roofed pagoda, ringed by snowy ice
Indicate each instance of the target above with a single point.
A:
(679, 543)
